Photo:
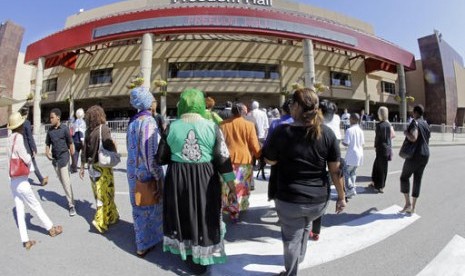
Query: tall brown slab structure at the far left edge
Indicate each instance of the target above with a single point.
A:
(11, 36)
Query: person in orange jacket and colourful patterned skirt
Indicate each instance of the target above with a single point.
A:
(242, 142)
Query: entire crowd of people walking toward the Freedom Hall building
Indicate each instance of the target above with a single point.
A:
(202, 165)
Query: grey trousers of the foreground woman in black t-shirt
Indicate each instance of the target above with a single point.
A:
(295, 222)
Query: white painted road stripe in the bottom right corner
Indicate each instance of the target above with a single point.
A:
(450, 261)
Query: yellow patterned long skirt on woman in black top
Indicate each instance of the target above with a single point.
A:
(104, 194)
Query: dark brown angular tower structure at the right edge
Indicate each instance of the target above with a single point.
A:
(439, 81)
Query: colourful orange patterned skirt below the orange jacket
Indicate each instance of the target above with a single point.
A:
(244, 176)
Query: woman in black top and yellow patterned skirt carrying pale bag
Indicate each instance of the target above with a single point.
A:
(103, 185)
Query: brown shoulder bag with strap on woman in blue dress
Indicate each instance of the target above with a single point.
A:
(146, 193)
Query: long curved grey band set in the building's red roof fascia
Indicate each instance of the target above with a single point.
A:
(225, 21)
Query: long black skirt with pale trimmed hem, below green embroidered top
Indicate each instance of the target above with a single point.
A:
(192, 222)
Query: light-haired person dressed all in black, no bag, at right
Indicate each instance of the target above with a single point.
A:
(383, 147)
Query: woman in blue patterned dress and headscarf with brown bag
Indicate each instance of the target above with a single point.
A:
(143, 172)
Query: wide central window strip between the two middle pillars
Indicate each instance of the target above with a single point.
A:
(223, 70)
